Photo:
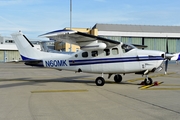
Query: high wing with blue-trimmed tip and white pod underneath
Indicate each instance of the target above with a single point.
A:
(84, 40)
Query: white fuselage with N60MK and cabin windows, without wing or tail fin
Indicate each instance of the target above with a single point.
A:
(112, 60)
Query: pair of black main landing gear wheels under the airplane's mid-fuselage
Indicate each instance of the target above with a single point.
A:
(100, 80)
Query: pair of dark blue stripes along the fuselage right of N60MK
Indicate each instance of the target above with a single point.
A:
(113, 60)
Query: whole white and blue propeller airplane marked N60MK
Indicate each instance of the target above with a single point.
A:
(97, 55)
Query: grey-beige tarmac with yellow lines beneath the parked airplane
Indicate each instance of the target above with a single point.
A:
(30, 93)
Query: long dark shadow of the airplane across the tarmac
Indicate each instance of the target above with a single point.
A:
(39, 82)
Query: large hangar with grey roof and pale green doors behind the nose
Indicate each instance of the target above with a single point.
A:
(153, 36)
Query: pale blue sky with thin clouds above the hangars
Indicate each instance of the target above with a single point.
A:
(35, 17)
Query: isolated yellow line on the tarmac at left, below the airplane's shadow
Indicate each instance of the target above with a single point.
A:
(47, 91)
